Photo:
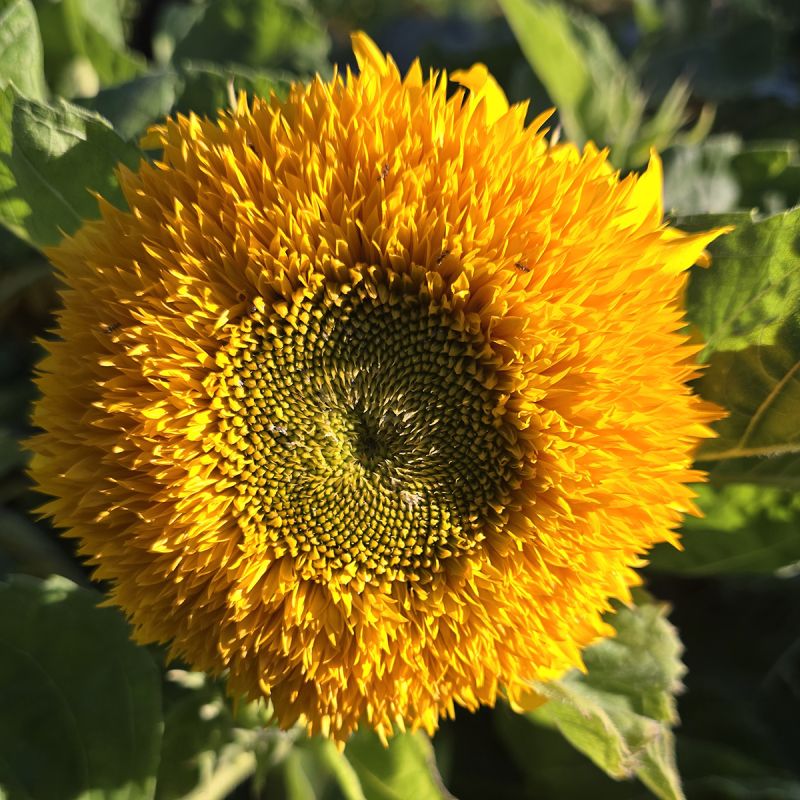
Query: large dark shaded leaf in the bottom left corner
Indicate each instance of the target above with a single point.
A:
(80, 704)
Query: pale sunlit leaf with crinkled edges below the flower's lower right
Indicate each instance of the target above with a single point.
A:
(620, 712)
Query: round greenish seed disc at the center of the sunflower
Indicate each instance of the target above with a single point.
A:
(364, 432)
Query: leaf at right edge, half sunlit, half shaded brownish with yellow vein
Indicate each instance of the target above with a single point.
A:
(746, 308)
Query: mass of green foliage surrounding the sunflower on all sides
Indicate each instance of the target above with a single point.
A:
(85, 713)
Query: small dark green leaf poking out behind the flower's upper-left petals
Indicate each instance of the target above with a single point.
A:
(207, 87)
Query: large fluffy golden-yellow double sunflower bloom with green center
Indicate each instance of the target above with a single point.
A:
(374, 398)
